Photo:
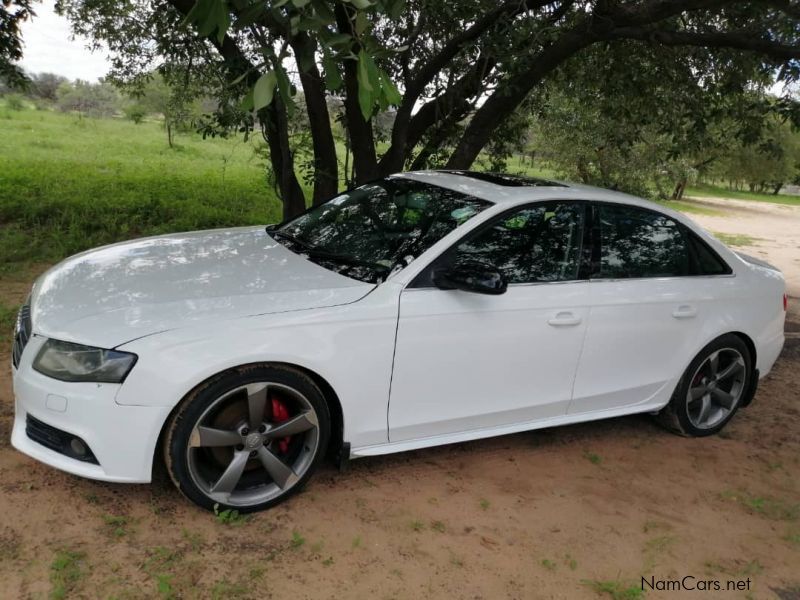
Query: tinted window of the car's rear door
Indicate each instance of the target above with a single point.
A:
(639, 243)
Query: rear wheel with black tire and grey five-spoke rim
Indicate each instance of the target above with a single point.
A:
(707, 397)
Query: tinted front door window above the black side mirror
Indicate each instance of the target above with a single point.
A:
(537, 243)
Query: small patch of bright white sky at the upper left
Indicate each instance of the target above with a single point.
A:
(49, 47)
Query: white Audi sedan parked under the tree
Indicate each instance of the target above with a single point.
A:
(421, 309)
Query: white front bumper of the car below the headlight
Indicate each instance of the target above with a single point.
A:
(122, 438)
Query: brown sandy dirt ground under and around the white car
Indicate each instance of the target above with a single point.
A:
(572, 512)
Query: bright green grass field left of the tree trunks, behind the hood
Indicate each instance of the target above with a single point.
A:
(70, 183)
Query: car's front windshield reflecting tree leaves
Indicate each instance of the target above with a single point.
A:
(368, 232)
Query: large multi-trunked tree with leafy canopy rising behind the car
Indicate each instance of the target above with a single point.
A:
(455, 71)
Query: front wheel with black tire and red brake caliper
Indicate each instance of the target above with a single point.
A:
(247, 439)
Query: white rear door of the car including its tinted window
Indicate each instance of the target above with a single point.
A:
(647, 309)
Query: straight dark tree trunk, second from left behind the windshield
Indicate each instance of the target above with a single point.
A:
(326, 165)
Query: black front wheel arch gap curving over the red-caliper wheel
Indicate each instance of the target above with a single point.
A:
(331, 398)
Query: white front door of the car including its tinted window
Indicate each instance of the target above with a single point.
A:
(466, 361)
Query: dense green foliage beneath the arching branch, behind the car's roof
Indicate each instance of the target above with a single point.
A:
(626, 118)
